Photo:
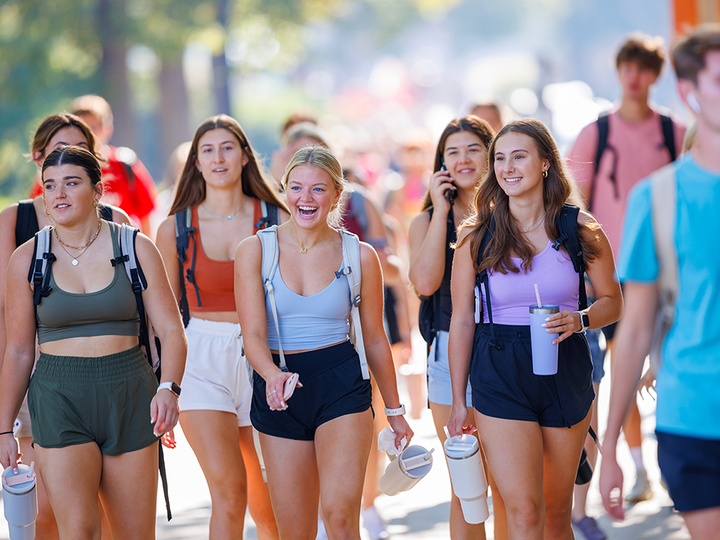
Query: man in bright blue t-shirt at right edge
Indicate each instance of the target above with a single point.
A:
(688, 425)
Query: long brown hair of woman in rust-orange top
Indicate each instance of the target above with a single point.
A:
(191, 188)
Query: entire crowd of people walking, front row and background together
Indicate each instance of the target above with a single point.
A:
(248, 295)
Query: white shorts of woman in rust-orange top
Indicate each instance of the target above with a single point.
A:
(216, 372)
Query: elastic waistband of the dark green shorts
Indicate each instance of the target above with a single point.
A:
(92, 369)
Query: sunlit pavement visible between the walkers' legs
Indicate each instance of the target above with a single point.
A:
(423, 511)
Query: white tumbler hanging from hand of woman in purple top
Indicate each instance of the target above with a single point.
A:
(468, 476)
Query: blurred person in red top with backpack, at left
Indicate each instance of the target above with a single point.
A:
(128, 183)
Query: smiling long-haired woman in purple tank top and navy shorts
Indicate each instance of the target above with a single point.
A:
(533, 427)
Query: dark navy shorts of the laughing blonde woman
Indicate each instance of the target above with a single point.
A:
(332, 387)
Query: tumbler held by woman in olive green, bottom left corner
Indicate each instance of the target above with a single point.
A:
(20, 502)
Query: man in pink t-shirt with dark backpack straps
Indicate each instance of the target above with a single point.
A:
(608, 158)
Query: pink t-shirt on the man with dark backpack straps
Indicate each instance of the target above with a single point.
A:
(640, 150)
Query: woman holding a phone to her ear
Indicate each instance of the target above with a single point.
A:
(460, 163)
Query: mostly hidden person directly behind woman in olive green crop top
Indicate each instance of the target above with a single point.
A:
(18, 223)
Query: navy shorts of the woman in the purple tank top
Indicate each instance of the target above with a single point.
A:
(504, 385)
